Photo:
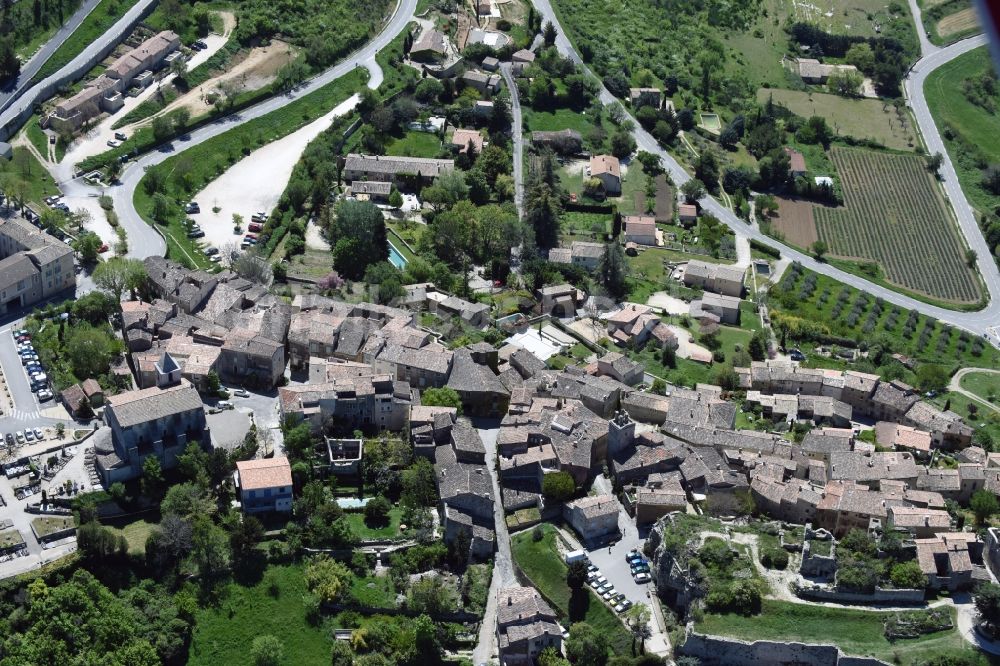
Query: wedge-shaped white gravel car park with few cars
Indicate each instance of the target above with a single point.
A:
(256, 182)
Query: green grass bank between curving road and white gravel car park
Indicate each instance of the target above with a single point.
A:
(209, 159)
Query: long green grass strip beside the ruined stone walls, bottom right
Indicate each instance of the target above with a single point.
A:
(856, 632)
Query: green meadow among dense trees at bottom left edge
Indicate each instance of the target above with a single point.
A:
(223, 633)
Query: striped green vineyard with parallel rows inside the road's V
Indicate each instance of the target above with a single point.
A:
(904, 224)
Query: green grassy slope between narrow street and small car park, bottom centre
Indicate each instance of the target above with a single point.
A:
(541, 562)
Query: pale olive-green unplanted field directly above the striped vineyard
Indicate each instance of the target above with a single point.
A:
(859, 118)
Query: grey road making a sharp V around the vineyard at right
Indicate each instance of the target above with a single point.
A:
(976, 322)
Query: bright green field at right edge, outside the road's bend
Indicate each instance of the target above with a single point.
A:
(971, 133)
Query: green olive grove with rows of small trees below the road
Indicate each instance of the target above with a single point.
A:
(833, 305)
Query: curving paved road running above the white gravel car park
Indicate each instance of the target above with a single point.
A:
(143, 240)
